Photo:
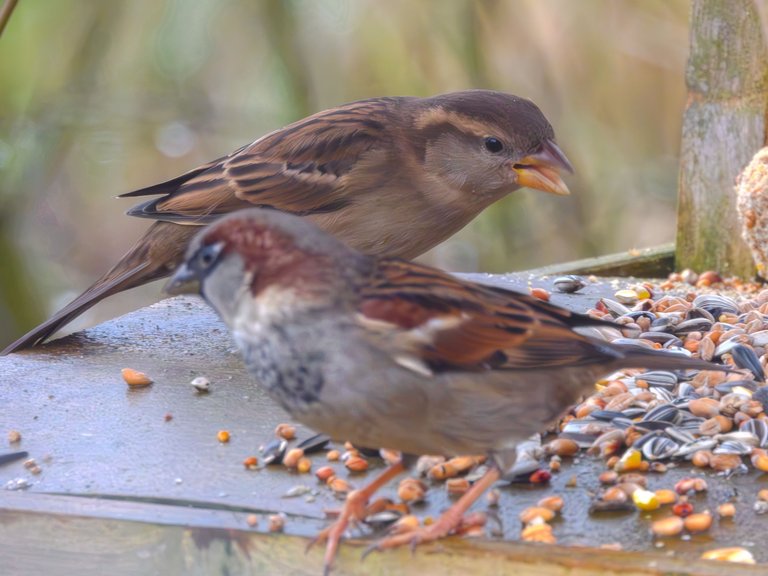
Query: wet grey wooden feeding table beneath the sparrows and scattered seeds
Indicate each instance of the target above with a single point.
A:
(124, 484)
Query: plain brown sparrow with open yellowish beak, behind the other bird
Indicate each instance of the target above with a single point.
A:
(392, 176)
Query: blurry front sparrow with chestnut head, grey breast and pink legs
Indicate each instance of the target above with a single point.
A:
(387, 353)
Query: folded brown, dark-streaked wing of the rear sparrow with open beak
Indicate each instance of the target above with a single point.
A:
(300, 169)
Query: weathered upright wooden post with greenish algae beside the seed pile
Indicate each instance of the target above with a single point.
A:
(723, 127)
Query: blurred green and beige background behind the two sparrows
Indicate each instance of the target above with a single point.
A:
(99, 98)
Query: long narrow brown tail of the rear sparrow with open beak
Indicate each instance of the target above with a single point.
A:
(154, 256)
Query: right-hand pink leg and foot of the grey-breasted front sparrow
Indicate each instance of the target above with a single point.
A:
(450, 521)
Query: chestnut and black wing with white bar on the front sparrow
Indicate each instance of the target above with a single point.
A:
(451, 324)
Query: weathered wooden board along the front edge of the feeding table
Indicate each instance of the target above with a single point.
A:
(41, 534)
